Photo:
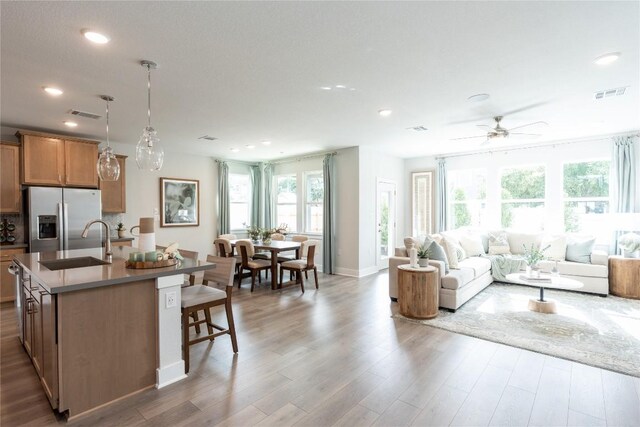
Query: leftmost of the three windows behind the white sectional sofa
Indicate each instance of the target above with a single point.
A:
(467, 197)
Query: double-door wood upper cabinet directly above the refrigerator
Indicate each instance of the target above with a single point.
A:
(58, 160)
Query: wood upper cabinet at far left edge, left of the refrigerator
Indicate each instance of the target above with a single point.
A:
(10, 196)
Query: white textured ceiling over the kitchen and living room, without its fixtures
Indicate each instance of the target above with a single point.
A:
(245, 72)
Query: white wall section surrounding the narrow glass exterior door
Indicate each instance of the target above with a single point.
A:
(376, 166)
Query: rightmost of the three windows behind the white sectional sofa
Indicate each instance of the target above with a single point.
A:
(586, 196)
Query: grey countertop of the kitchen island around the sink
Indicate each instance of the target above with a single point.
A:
(115, 273)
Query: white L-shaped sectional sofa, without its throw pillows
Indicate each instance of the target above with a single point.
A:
(473, 273)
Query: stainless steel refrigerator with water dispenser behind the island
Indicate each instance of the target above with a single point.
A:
(57, 217)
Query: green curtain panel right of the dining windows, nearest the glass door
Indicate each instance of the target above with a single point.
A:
(329, 215)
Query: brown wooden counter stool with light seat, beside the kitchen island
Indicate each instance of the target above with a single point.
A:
(203, 298)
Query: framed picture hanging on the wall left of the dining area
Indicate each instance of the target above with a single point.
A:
(179, 202)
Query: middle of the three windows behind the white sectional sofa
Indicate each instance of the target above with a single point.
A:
(523, 196)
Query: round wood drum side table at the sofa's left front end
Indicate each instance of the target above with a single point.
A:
(418, 294)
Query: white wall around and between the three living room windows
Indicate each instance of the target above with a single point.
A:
(553, 157)
